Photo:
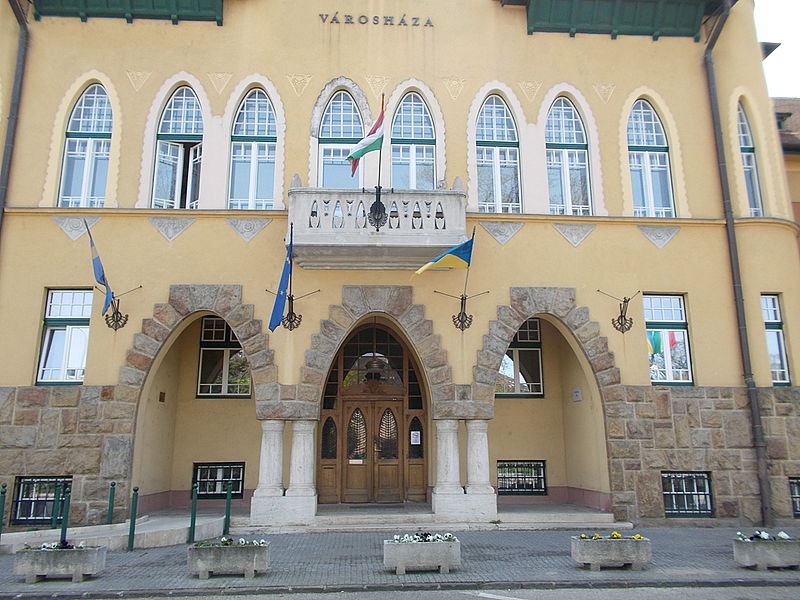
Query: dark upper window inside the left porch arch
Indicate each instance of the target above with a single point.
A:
(223, 369)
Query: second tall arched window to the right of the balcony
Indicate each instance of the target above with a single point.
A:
(567, 160)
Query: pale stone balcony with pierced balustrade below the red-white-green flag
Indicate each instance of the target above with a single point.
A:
(332, 229)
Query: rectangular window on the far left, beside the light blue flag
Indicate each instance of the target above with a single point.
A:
(65, 339)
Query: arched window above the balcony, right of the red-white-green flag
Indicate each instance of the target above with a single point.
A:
(413, 145)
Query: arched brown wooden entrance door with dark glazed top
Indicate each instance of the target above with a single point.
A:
(373, 423)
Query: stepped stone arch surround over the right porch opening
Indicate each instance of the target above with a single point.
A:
(551, 301)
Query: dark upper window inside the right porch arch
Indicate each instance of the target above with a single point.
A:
(521, 368)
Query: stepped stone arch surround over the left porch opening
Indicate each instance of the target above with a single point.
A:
(184, 300)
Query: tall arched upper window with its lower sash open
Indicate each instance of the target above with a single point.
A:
(179, 152)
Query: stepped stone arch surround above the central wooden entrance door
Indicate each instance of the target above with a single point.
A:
(358, 301)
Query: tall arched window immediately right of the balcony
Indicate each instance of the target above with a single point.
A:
(497, 143)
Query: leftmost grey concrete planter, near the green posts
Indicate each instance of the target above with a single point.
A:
(74, 562)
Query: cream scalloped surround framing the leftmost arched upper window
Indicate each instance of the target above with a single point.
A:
(52, 183)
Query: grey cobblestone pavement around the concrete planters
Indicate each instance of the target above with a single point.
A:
(354, 561)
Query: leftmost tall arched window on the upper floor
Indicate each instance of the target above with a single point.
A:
(88, 144)
